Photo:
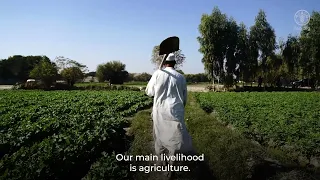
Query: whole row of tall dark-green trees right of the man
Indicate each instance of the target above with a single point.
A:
(232, 52)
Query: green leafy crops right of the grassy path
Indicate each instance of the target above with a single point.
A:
(286, 120)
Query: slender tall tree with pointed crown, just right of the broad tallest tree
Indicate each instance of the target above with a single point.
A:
(263, 36)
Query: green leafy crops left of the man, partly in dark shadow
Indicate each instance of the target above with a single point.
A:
(66, 134)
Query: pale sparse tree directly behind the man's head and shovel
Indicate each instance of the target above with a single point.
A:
(156, 58)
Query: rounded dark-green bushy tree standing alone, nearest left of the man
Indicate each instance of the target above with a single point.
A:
(113, 71)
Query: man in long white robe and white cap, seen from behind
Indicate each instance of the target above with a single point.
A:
(169, 89)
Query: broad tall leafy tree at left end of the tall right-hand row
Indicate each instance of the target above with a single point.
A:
(219, 44)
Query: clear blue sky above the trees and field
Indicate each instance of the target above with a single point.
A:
(93, 32)
